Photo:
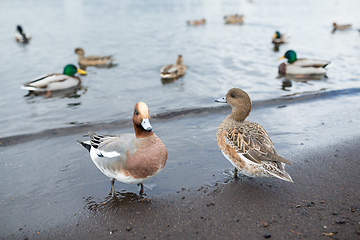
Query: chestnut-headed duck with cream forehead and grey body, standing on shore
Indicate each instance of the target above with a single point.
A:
(129, 158)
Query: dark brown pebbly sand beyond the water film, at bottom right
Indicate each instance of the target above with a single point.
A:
(323, 201)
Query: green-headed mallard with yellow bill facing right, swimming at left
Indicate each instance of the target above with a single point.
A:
(55, 81)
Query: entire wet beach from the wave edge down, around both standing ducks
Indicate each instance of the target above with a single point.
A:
(194, 200)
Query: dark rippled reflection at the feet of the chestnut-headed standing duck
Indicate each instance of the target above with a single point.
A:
(112, 204)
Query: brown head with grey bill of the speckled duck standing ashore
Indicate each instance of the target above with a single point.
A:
(240, 103)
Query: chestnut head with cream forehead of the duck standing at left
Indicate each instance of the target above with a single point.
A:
(141, 118)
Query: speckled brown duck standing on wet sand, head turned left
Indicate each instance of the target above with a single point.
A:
(246, 144)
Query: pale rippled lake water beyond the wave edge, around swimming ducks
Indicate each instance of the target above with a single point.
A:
(145, 35)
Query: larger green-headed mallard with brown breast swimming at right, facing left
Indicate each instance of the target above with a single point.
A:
(302, 66)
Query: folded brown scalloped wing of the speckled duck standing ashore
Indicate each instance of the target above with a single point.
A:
(252, 142)
